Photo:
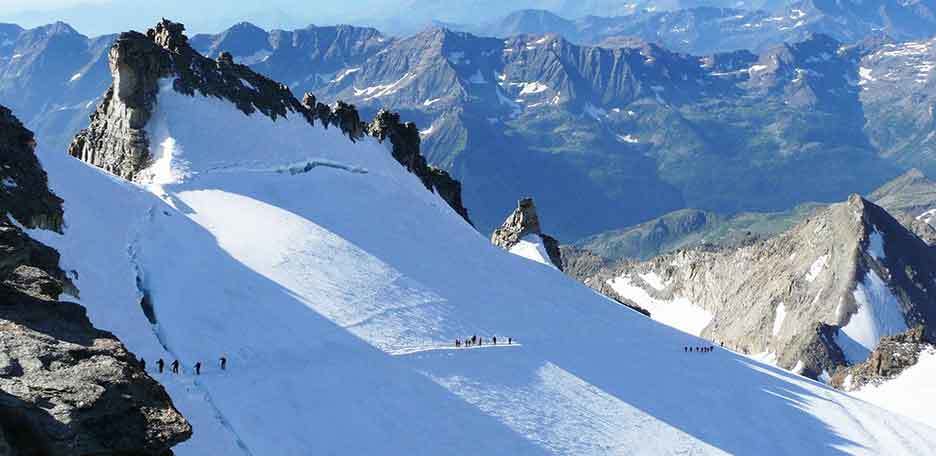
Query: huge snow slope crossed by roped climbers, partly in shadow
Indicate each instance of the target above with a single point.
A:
(333, 292)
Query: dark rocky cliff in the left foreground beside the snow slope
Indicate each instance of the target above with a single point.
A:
(66, 387)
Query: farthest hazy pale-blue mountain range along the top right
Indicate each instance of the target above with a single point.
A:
(708, 28)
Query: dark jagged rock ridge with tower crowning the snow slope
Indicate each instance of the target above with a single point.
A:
(116, 140)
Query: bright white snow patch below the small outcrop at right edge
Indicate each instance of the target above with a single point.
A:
(911, 394)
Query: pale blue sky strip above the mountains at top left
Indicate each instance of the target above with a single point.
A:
(98, 17)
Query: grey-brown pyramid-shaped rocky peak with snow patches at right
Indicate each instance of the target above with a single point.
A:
(793, 296)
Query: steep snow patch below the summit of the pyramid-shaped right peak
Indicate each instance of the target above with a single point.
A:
(878, 315)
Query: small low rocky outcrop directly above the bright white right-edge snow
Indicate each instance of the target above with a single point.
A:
(893, 355)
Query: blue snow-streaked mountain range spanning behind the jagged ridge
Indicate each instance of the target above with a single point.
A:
(633, 131)
